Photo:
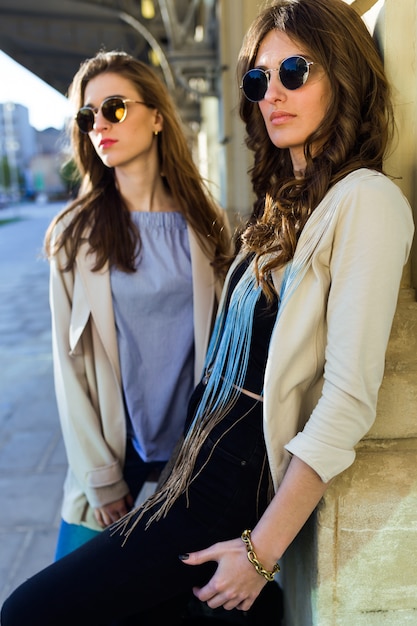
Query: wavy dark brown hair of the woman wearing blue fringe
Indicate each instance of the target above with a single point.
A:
(354, 133)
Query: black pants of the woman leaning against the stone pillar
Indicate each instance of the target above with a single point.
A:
(104, 583)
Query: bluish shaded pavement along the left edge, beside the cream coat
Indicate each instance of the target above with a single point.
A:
(32, 457)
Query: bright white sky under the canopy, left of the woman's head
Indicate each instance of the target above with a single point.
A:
(47, 107)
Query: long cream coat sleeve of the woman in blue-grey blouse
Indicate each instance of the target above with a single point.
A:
(90, 458)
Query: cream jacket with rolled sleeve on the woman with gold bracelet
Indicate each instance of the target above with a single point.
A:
(327, 351)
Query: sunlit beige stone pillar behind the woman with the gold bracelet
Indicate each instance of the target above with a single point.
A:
(354, 563)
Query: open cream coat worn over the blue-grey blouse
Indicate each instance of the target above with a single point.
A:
(87, 375)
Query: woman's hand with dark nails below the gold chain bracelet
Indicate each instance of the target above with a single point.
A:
(235, 584)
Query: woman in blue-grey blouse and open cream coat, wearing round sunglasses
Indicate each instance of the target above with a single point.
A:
(136, 270)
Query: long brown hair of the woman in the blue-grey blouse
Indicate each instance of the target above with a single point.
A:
(99, 211)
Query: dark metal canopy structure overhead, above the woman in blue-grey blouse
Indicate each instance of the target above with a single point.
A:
(52, 37)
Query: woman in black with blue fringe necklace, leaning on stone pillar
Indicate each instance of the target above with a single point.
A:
(297, 353)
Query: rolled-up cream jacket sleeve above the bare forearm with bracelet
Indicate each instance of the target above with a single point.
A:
(371, 244)
